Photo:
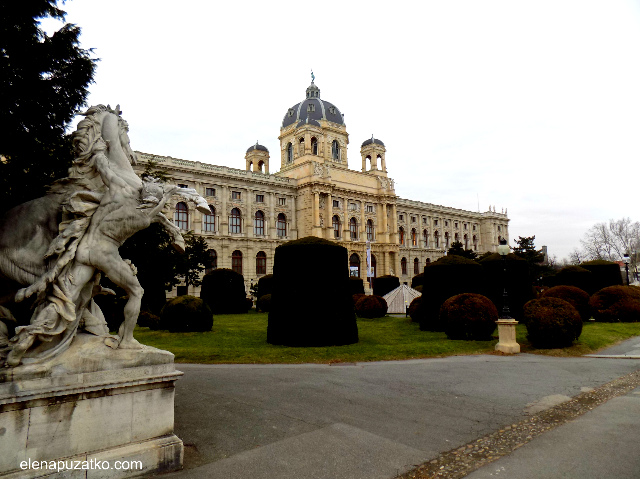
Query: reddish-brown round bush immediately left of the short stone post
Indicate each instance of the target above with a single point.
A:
(469, 316)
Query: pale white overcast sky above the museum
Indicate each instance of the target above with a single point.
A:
(530, 106)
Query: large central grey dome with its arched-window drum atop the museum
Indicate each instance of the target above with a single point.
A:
(313, 131)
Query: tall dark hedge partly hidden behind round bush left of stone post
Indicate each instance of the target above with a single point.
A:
(447, 277)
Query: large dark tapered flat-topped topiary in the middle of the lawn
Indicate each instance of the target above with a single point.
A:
(311, 306)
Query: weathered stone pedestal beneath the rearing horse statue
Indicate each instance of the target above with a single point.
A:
(109, 411)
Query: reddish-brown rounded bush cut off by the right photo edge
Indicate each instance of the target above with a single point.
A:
(616, 304)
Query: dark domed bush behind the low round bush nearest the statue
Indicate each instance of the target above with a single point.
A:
(223, 290)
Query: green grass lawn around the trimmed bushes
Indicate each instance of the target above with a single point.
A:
(242, 338)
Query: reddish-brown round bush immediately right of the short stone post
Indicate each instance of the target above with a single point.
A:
(552, 323)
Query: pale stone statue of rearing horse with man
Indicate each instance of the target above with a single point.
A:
(56, 247)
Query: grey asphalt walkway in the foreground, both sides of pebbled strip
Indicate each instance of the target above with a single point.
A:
(379, 420)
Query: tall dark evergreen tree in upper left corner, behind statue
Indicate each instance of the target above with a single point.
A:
(43, 80)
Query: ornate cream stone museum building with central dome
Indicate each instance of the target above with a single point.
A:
(315, 193)
